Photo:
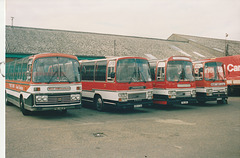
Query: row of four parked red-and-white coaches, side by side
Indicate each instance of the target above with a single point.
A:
(57, 81)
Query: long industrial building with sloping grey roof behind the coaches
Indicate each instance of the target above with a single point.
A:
(25, 41)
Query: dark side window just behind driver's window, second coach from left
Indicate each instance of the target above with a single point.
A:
(100, 71)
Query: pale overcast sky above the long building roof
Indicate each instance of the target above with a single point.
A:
(145, 18)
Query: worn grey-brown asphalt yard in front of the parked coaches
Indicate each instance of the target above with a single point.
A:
(181, 131)
